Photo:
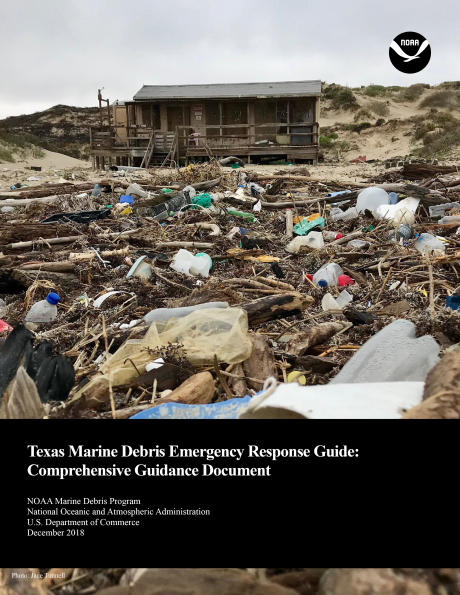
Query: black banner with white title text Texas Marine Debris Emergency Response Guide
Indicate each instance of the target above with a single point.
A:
(224, 494)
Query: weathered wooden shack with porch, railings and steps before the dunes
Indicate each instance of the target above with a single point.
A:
(253, 121)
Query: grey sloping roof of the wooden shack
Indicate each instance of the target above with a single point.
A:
(229, 91)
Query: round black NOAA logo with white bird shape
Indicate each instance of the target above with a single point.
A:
(410, 52)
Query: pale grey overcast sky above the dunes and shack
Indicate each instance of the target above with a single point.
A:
(62, 51)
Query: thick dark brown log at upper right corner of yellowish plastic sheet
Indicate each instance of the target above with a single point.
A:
(277, 306)
